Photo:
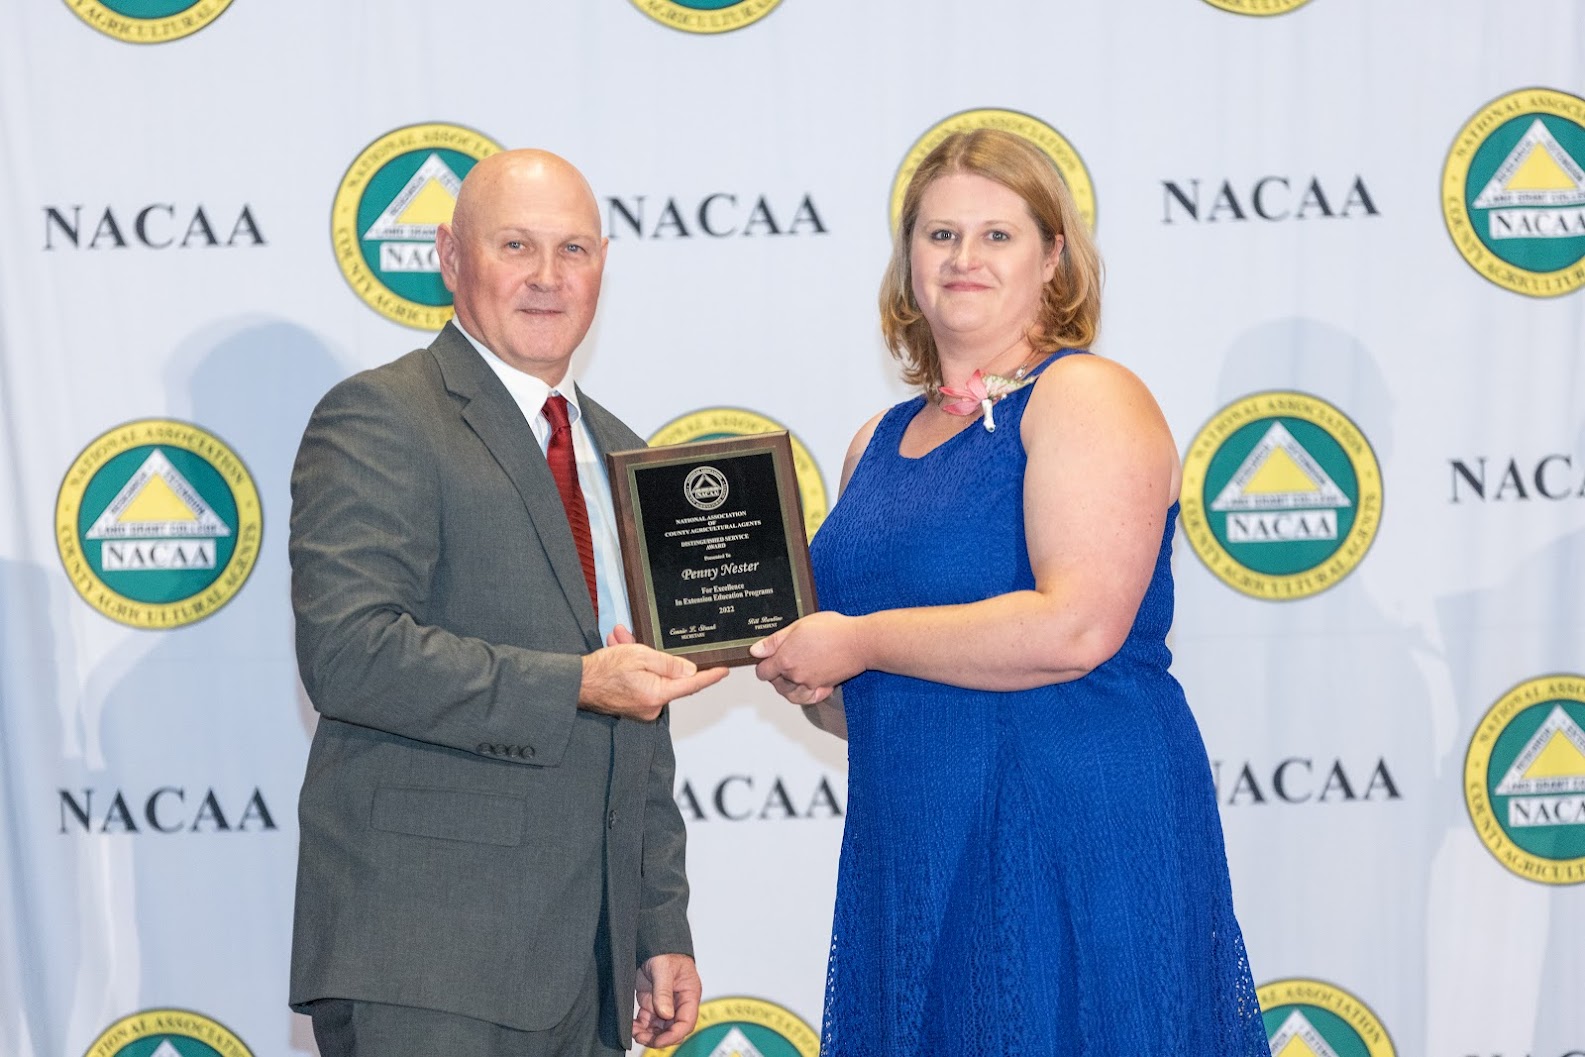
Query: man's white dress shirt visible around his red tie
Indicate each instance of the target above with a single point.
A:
(530, 395)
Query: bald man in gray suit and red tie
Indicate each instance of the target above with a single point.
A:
(491, 860)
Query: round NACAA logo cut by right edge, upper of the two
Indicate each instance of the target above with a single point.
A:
(1514, 193)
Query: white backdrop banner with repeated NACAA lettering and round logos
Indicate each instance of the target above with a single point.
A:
(1346, 250)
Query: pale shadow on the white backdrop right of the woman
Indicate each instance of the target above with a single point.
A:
(1331, 681)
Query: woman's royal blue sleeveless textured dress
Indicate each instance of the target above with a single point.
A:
(1033, 872)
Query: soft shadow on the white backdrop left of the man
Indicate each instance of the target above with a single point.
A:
(216, 714)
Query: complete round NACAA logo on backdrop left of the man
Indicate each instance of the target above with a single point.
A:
(158, 524)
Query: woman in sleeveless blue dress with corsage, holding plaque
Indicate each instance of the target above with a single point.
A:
(1033, 860)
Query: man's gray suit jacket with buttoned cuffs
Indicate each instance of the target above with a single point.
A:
(460, 817)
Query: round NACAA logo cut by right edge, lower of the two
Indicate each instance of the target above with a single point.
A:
(1526, 780)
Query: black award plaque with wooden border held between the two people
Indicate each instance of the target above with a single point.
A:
(712, 544)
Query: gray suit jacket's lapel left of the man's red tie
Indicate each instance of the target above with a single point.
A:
(498, 422)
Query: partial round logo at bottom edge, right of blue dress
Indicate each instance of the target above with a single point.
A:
(1308, 1018)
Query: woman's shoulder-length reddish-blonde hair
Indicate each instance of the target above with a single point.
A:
(1071, 303)
